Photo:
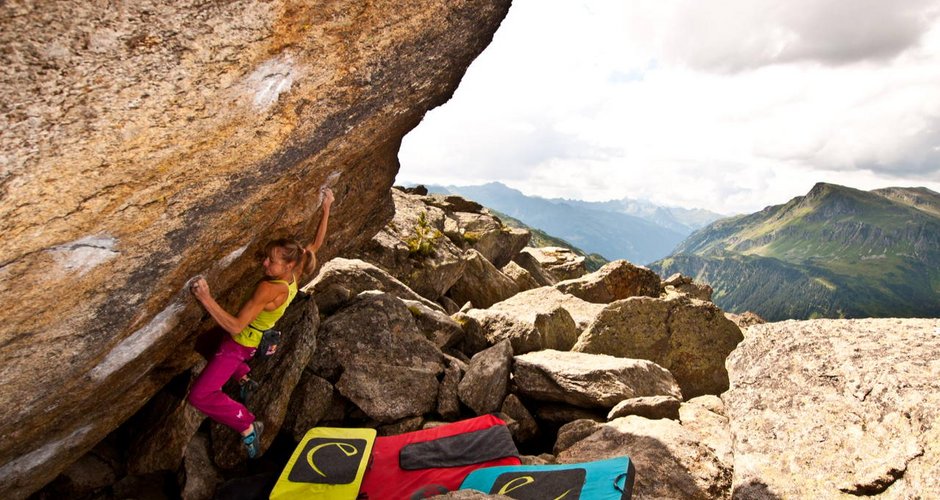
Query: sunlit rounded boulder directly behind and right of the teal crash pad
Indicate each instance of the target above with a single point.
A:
(669, 460)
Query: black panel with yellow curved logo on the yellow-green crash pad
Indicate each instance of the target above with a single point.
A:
(328, 461)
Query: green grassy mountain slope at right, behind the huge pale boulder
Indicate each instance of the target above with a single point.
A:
(836, 252)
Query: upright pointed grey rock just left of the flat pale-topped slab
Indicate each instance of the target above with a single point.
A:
(483, 387)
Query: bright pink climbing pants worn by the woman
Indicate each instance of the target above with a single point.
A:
(206, 393)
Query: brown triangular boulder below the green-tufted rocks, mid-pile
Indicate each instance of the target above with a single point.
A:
(481, 283)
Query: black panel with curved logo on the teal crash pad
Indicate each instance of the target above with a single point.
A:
(531, 485)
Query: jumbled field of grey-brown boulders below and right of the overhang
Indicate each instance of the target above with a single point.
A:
(847, 403)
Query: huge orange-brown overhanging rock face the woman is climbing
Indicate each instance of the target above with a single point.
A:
(147, 143)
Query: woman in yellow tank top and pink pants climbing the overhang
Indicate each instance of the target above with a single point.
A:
(285, 261)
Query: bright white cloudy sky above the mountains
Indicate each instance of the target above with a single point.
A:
(728, 105)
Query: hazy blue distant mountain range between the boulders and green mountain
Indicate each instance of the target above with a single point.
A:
(638, 231)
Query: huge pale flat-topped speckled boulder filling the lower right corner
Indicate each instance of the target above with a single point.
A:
(836, 408)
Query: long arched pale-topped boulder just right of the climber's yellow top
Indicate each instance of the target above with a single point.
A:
(341, 280)
